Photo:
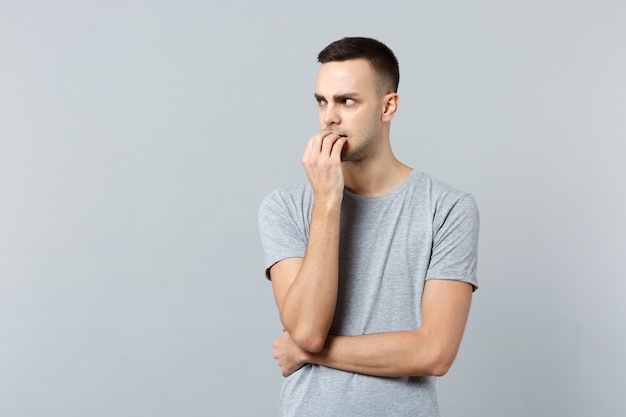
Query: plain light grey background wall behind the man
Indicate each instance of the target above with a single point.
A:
(137, 139)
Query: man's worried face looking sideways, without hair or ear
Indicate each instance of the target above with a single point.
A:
(350, 104)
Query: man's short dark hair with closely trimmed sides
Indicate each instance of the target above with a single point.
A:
(380, 57)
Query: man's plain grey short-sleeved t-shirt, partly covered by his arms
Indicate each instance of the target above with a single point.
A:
(389, 246)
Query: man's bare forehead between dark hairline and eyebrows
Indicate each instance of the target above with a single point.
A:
(355, 75)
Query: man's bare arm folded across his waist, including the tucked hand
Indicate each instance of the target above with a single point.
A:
(429, 350)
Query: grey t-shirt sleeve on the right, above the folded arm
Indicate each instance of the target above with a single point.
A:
(455, 242)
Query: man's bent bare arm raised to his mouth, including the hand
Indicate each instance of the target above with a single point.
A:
(305, 289)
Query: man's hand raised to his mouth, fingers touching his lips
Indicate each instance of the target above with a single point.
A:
(322, 163)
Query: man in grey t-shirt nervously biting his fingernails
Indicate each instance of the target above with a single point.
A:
(372, 263)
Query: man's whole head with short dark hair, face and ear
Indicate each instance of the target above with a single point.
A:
(356, 97)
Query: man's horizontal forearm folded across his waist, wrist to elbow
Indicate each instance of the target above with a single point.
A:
(391, 354)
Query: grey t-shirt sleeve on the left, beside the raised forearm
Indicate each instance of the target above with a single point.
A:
(282, 235)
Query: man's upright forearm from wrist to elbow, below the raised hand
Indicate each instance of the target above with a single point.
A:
(308, 307)
